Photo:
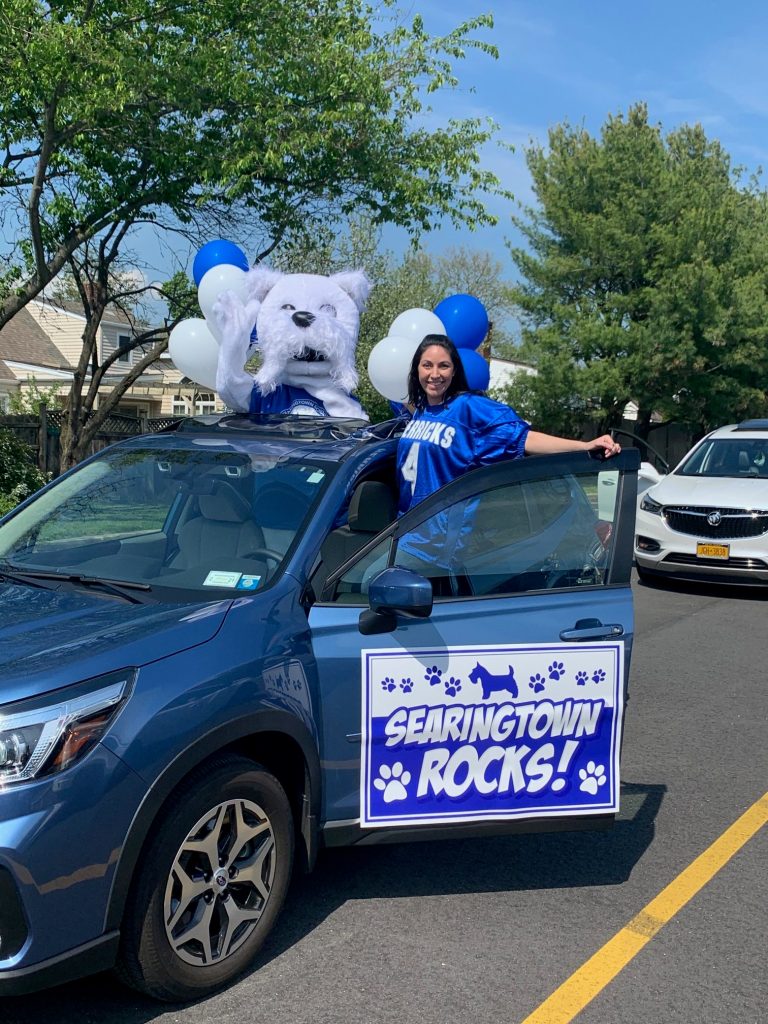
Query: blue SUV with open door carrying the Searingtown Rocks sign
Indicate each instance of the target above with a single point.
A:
(222, 651)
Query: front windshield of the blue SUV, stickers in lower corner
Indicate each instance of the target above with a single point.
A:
(199, 520)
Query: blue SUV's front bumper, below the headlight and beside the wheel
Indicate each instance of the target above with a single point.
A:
(61, 841)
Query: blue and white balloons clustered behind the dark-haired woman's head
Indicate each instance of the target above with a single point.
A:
(462, 318)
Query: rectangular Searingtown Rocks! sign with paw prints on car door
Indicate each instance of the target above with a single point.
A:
(546, 682)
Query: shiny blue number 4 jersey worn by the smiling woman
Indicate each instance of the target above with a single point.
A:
(443, 443)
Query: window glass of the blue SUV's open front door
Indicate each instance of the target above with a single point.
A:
(532, 535)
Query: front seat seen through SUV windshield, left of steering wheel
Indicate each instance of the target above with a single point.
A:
(224, 533)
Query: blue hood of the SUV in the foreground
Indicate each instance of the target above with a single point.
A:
(54, 638)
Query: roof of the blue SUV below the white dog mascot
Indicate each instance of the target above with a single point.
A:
(325, 439)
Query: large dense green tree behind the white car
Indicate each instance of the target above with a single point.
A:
(645, 279)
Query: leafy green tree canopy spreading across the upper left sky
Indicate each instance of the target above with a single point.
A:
(156, 111)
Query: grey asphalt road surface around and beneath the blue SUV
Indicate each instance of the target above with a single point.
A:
(484, 931)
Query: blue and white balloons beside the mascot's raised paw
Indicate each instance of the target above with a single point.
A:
(194, 345)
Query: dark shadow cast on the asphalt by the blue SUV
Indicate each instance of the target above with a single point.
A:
(545, 861)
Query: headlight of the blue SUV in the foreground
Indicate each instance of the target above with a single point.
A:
(47, 735)
